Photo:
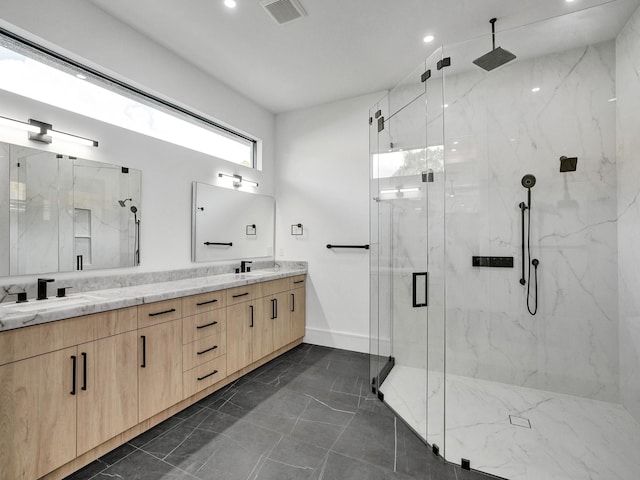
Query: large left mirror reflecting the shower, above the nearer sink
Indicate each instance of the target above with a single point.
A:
(61, 214)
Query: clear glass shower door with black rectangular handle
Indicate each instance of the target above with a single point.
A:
(406, 181)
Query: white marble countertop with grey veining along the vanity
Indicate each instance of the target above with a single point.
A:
(35, 312)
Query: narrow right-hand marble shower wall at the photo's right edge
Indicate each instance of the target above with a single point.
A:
(628, 160)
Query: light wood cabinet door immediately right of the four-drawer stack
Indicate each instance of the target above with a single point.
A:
(242, 320)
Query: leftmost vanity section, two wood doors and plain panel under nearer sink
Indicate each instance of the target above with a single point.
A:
(65, 387)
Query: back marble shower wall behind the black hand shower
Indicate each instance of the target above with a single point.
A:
(504, 130)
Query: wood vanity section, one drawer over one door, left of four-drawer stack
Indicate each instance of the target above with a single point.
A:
(159, 356)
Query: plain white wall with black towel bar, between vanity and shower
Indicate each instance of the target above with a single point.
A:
(322, 182)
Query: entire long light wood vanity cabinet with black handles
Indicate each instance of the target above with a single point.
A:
(72, 390)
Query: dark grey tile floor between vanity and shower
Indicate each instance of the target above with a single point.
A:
(308, 414)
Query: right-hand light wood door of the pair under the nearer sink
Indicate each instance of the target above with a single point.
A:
(108, 389)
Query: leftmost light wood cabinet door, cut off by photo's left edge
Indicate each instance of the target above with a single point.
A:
(37, 415)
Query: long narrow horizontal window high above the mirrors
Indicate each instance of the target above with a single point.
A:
(31, 73)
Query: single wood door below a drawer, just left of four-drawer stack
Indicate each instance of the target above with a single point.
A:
(160, 367)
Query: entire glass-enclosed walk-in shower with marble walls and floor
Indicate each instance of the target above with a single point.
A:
(503, 281)
